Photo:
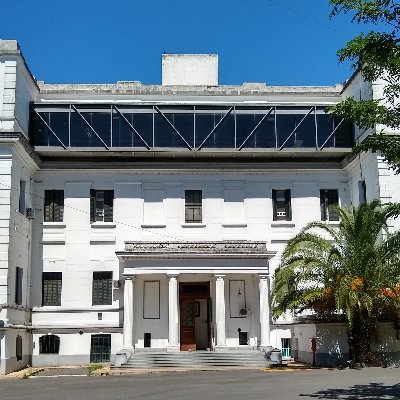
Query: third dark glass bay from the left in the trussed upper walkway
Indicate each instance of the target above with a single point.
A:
(125, 136)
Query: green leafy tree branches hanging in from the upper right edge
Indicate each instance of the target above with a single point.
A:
(377, 56)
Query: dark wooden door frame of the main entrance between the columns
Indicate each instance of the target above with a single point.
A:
(187, 295)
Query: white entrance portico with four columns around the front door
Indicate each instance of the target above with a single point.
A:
(234, 307)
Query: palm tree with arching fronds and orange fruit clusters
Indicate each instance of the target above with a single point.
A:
(351, 270)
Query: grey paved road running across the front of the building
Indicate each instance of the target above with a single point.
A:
(367, 384)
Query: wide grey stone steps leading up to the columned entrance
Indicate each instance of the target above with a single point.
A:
(197, 360)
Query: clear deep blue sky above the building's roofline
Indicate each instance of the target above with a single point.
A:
(280, 42)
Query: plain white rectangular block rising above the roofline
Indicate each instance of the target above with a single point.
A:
(190, 69)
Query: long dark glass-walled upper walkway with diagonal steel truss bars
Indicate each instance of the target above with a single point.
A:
(190, 128)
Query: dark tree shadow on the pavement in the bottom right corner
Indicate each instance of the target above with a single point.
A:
(371, 391)
